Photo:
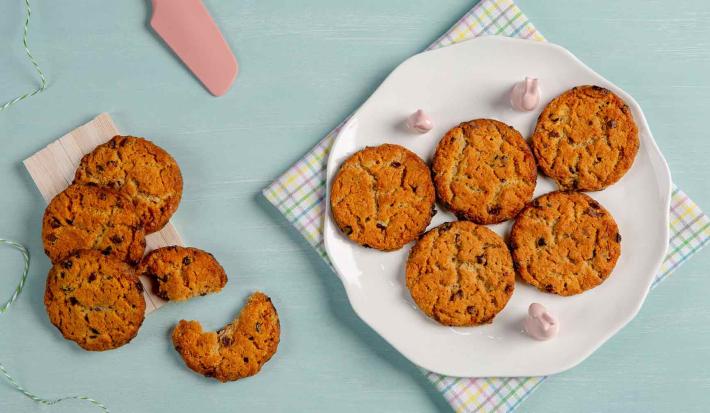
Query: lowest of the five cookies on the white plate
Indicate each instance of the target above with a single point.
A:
(460, 274)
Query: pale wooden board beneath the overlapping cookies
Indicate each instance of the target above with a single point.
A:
(52, 170)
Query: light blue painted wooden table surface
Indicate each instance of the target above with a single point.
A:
(305, 65)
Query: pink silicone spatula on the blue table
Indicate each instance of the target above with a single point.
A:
(187, 27)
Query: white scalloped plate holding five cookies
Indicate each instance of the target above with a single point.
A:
(471, 80)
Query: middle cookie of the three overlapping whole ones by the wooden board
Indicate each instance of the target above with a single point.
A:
(89, 217)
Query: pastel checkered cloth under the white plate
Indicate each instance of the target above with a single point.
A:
(299, 195)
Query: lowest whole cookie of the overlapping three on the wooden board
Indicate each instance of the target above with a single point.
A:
(94, 300)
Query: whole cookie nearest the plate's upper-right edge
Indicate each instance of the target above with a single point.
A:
(585, 139)
